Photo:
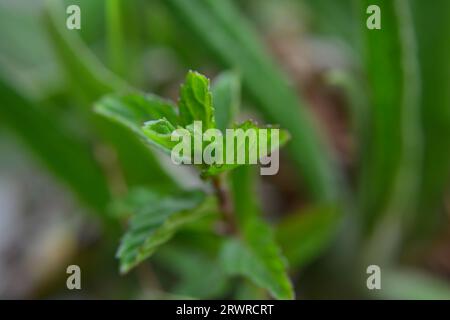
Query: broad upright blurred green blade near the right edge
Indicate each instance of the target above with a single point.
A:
(392, 152)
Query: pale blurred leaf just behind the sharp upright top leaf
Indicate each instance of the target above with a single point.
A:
(226, 97)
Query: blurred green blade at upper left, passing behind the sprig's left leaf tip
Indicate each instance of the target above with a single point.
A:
(90, 80)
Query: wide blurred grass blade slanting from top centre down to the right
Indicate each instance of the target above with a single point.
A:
(225, 32)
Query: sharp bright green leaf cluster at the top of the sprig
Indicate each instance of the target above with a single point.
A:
(154, 121)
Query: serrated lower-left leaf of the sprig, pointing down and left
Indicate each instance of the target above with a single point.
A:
(156, 220)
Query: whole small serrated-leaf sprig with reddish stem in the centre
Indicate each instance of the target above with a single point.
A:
(248, 247)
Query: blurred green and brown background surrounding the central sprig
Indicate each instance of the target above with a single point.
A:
(368, 111)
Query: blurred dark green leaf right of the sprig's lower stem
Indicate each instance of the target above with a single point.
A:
(304, 235)
